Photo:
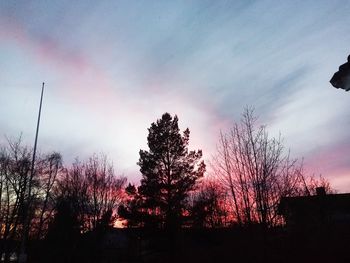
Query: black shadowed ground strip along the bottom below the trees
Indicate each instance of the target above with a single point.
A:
(202, 245)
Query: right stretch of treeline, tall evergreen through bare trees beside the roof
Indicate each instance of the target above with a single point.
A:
(249, 174)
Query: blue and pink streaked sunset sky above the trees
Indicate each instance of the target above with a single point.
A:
(111, 68)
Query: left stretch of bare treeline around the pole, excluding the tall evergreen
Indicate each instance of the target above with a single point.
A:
(63, 201)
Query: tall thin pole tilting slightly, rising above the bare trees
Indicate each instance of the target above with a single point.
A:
(23, 256)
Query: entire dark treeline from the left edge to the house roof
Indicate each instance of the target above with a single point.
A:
(246, 178)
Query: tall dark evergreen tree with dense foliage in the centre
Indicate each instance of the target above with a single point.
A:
(169, 171)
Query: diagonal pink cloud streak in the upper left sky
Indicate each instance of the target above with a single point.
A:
(80, 76)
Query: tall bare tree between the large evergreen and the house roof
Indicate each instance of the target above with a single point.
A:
(256, 170)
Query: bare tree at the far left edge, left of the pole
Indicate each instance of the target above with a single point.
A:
(15, 177)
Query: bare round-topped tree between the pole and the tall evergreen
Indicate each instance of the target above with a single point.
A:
(95, 188)
